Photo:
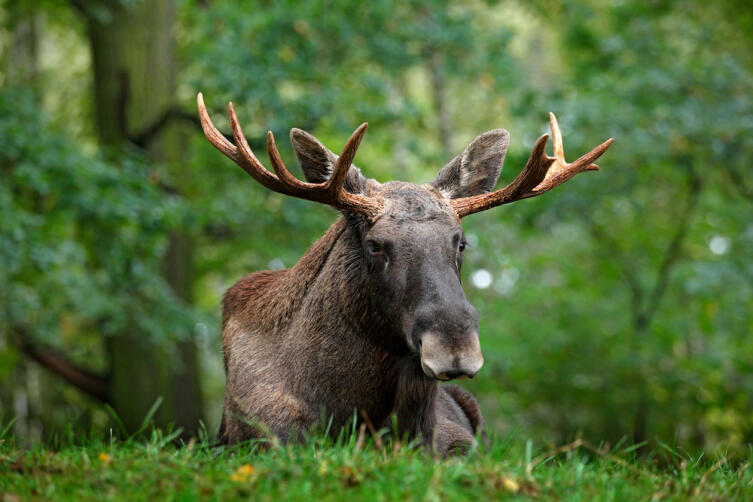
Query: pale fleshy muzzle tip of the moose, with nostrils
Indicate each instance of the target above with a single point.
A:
(447, 358)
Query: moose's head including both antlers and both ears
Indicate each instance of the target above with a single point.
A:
(410, 236)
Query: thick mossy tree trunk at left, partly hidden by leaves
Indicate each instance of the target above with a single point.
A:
(133, 55)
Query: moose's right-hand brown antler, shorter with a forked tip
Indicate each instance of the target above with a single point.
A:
(541, 174)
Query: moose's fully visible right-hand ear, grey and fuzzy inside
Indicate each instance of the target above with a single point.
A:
(476, 170)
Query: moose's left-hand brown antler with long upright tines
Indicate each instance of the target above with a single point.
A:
(330, 192)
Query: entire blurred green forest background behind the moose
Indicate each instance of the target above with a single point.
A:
(619, 306)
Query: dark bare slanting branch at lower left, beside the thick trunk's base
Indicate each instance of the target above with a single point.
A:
(89, 383)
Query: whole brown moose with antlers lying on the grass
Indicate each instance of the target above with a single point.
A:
(373, 316)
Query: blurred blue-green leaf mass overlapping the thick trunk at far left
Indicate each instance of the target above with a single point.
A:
(80, 235)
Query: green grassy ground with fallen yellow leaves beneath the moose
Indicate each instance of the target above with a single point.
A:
(356, 469)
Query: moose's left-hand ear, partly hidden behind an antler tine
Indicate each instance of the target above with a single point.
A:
(317, 161)
